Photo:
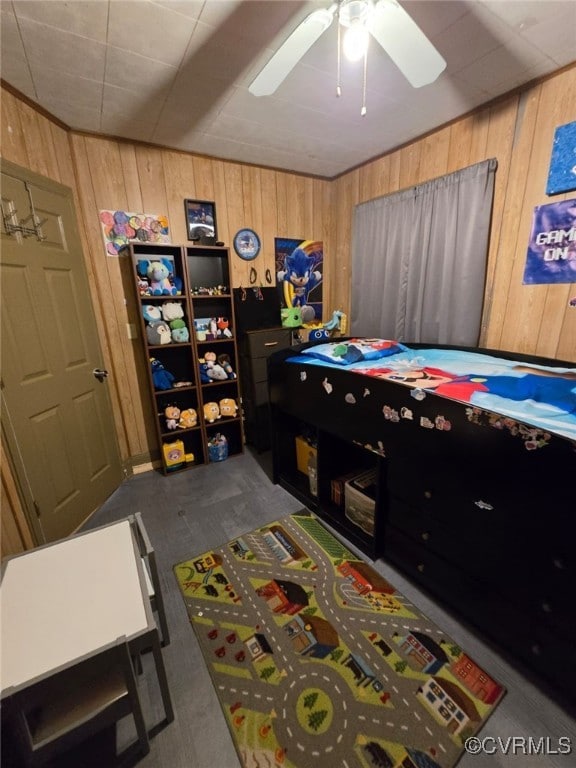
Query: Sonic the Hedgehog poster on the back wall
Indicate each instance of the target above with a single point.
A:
(299, 267)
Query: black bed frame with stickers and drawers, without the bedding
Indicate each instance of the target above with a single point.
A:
(474, 514)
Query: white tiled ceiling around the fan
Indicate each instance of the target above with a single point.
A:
(176, 73)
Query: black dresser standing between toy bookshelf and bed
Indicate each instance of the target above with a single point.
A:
(254, 349)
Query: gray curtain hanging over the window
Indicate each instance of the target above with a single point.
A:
(419, 260)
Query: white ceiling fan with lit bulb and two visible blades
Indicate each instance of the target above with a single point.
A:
(385, 20)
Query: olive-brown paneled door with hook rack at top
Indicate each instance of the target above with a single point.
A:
(56, 414)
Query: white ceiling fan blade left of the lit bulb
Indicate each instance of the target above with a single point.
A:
(291, 51)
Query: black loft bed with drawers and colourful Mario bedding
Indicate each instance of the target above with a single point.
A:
(475, 452)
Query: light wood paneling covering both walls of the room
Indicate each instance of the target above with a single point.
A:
(110, 174)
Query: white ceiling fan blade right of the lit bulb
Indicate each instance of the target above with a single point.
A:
(405, 43)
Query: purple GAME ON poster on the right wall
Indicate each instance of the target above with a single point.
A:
(552, 248)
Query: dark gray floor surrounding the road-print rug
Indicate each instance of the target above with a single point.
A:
(191, 512)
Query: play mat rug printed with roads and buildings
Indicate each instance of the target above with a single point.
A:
(318, 660)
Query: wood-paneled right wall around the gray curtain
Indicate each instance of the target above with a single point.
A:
(518, 132)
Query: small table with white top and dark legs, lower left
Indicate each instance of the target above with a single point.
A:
(62, 602)
